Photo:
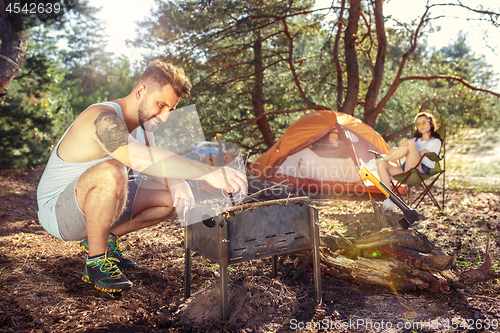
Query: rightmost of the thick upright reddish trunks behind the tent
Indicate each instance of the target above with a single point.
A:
(371, 112)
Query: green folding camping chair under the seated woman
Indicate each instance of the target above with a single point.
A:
(415, 177)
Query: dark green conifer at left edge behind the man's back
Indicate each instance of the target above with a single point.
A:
(35, 111)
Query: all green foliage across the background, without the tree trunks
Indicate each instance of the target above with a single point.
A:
(215, 42)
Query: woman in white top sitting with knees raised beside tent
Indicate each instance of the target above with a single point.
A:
(425, 140)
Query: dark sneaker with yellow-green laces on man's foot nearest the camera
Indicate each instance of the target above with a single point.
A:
(105, 275)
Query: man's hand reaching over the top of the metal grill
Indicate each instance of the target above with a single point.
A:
(226, 179)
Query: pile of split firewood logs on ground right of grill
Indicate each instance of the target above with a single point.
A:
(401, 260)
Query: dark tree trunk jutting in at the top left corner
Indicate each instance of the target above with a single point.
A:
(14, 45)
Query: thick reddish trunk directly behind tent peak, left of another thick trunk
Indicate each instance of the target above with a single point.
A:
(351, 99)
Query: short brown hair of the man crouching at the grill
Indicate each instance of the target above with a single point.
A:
(159, 74)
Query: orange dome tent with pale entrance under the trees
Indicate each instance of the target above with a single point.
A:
(321, 153)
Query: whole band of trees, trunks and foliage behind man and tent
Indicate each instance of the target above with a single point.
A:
(256, 67)
